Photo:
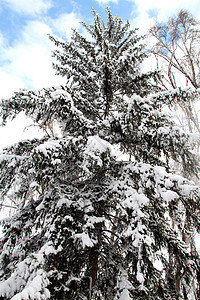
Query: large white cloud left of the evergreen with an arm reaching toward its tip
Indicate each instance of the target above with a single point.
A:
(28, 62)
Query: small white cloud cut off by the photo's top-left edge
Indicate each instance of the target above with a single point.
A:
(30, 7)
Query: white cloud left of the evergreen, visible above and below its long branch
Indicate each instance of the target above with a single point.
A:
(27, 64)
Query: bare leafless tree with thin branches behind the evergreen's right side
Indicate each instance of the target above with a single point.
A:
(176, 49)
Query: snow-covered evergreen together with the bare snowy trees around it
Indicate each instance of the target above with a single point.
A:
(109, 207)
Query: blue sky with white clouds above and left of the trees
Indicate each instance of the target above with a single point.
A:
(25, 50)
